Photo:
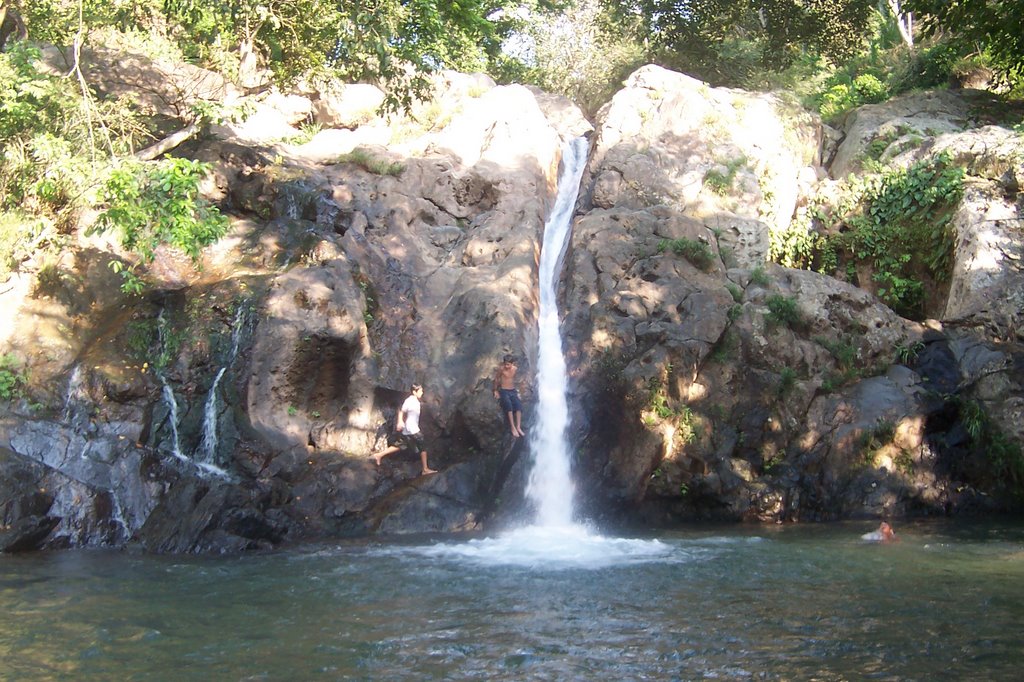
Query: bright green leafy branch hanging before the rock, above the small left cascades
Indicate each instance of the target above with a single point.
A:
(159, 203)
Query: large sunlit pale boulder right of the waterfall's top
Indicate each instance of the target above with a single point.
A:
(734, 160)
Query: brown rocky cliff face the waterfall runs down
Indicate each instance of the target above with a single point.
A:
(235, 407)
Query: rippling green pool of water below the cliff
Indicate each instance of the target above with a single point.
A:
(738, 603)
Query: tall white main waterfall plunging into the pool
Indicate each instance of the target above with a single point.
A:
(550, 487)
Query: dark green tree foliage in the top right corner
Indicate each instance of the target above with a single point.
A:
(994, 26)
